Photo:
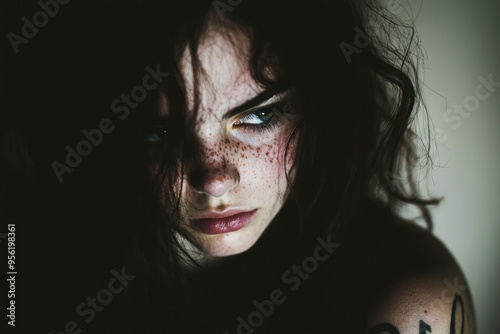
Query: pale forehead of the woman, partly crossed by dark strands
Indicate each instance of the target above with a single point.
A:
(224, 76)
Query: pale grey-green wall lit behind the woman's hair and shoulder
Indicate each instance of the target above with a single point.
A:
(462, 42)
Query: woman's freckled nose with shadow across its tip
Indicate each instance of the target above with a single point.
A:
(211, 174)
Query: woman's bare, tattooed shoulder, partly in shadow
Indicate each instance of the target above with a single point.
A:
(418, 285)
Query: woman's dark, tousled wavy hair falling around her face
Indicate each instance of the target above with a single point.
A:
(354, 69)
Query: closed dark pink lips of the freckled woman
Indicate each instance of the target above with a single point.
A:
(217, 223)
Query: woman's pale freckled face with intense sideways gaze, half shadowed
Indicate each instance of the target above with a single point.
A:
(236, 183)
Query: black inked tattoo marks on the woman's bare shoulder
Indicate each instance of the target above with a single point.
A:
(456, 323)
